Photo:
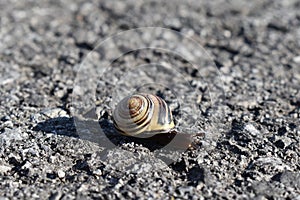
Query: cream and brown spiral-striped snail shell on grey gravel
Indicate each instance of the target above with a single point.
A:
(143, 113)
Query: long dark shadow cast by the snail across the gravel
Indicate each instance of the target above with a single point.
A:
(101, 132)
